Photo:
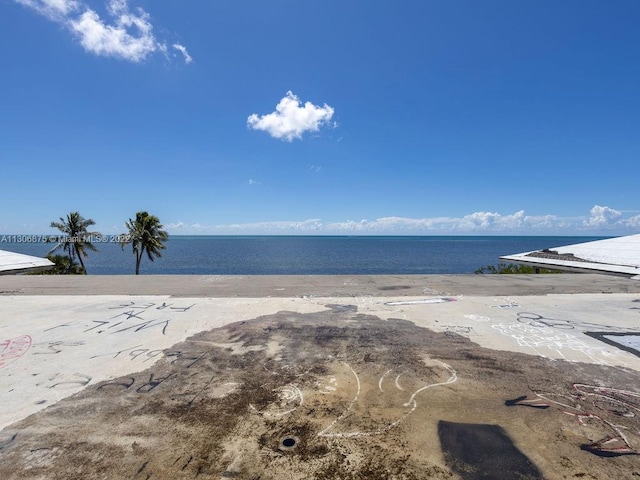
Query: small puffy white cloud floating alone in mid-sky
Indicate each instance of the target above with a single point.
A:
(290, 119)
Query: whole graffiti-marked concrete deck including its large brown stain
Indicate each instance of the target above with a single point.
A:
(367, 383)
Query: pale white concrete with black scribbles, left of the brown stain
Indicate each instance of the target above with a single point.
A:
(54, 346)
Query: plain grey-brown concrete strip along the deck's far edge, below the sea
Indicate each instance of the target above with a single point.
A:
(223, 286)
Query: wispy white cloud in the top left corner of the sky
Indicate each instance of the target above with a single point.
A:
(127, 34)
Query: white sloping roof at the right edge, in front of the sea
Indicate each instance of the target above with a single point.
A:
(614, 256)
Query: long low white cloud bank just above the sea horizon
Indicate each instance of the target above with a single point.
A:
(600, 221)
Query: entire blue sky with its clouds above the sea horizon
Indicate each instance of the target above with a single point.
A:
(322, 117)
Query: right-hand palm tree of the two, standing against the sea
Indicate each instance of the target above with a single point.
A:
(145, 235)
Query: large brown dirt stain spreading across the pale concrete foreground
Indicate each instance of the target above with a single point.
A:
(328, 395)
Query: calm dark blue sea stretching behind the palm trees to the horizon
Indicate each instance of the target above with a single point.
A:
(310, 255)
